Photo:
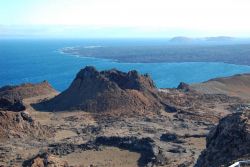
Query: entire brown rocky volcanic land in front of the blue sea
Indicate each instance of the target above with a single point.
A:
(112, 118)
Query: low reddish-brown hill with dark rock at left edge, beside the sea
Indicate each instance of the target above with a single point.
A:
(11, 96)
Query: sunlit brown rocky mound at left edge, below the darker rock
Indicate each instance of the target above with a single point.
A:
(21, 124)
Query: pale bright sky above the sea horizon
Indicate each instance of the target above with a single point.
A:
(124, 18)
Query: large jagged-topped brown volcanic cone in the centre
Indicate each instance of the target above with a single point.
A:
(111, 90)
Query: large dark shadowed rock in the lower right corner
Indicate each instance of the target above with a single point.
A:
(228, 142)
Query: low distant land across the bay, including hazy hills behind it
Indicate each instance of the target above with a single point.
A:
(178, 49)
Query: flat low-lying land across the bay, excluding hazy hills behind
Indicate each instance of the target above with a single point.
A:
(138, 56)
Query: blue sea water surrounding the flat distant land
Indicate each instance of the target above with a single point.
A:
(32, 60)
